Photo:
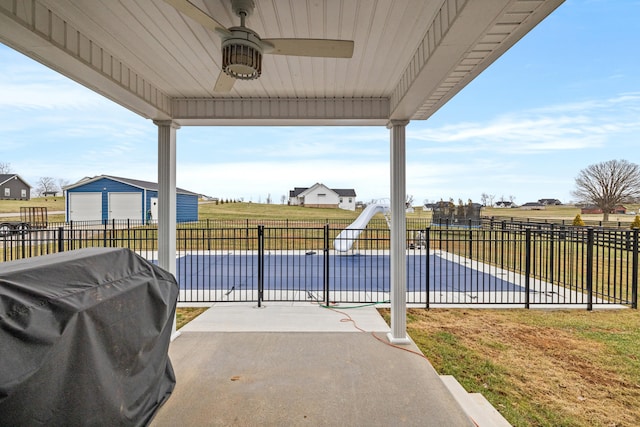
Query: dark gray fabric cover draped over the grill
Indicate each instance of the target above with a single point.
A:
(84, 339)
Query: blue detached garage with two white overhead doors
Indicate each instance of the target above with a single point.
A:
(105, 198)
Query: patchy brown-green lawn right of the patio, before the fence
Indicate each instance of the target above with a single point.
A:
(537, 367)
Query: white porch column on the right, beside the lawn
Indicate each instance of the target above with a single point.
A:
(398, 334)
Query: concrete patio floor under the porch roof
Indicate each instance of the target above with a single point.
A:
(289, 364)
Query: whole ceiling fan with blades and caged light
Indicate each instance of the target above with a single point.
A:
(242, 48)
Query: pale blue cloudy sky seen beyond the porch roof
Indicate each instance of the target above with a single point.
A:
(566, 96)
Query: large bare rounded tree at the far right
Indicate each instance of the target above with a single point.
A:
(608, 184)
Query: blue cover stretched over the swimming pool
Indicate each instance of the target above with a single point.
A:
(345, 273)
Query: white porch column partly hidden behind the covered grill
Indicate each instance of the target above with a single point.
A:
(167, 217)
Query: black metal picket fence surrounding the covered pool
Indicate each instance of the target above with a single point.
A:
(487, 262)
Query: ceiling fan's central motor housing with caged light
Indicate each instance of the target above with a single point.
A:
(242, 54)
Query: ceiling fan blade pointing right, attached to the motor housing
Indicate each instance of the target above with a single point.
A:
(324, 48)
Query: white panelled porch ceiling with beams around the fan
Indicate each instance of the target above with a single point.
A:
(410, 56)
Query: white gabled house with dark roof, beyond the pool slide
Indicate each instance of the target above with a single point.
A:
(321, 196)
